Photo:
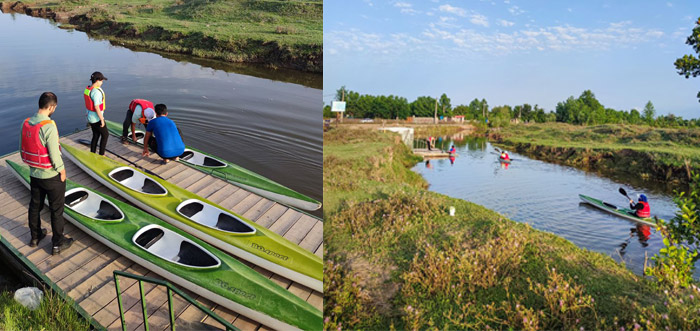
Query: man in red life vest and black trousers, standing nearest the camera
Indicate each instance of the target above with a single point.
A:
(40, 150)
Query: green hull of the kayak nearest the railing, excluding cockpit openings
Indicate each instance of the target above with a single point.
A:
(252, 294)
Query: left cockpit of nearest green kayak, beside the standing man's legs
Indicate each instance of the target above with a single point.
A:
(92, 205)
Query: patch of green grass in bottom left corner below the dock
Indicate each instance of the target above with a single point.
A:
(52, 314)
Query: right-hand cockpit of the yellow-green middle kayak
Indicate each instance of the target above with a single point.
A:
(214, 217)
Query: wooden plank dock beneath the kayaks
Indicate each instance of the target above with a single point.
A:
(84, 272)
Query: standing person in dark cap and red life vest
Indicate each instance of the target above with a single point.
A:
(95, 103)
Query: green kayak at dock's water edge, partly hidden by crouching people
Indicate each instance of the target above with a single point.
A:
(234, 174)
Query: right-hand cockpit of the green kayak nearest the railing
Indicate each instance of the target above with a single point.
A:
(173, 247)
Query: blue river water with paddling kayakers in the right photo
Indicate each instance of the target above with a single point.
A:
(545, 196)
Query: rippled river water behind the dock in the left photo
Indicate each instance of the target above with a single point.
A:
(251, 116)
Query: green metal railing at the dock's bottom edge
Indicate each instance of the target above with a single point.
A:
(171, 289)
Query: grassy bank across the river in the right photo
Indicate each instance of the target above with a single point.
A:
(664, 155)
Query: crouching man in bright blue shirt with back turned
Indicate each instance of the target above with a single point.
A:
(169, 144)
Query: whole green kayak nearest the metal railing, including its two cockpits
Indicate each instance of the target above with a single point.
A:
(182, 259)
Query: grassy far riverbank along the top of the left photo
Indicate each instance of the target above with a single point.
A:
(285, 34)
